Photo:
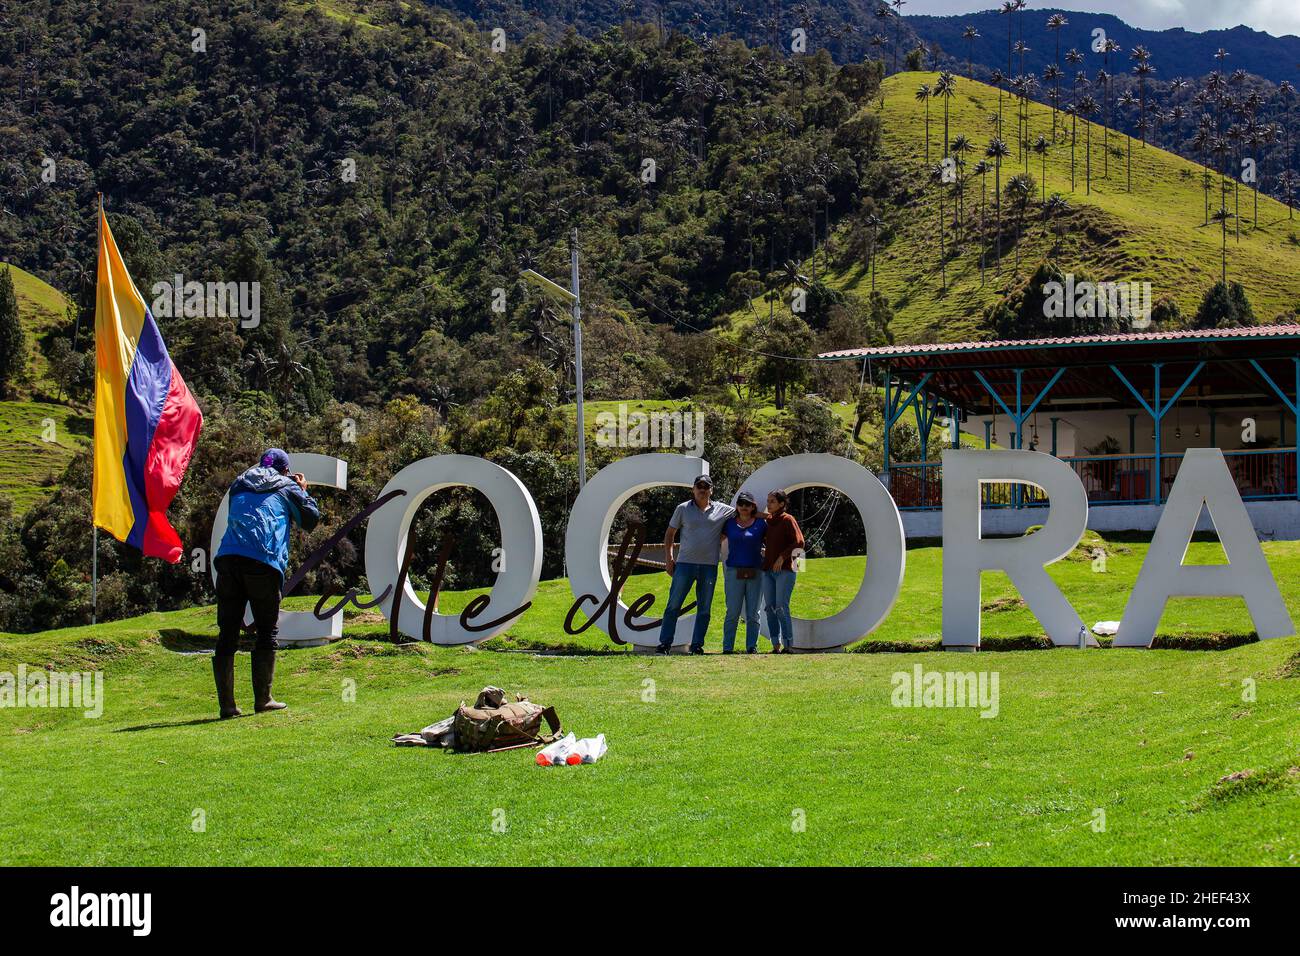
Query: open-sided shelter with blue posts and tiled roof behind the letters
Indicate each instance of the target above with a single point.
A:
(1120, 409)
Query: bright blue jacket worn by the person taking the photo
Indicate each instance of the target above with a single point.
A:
(265, 507)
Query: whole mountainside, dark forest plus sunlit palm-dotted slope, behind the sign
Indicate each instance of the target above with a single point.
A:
(387, 171)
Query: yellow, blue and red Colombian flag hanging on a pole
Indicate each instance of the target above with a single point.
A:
(146, 421)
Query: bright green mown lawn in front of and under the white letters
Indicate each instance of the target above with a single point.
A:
(714, 760)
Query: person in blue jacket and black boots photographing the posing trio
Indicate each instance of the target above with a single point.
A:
(266, 504)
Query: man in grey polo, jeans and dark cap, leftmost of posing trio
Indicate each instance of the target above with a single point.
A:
(700, 526)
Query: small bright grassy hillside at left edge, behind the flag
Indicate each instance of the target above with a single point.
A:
(38, 438)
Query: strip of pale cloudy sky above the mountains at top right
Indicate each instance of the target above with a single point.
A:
(1275, 16)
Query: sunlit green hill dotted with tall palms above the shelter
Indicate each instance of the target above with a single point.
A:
(1156, 233)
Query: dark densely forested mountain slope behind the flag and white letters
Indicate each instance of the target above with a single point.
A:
(387, 183)
